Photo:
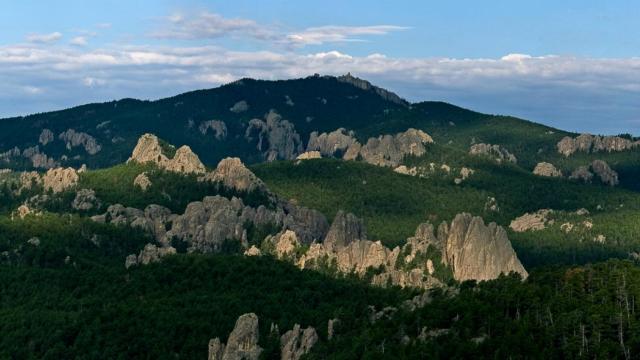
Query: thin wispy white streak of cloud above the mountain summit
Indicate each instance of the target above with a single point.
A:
(333, 34)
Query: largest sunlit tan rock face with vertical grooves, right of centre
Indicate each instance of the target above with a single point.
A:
(476, 251)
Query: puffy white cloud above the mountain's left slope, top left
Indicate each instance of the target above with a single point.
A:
(207, 25)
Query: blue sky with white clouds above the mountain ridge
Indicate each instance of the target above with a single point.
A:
(570, 64)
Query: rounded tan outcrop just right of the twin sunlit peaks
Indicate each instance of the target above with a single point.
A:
(232, 173)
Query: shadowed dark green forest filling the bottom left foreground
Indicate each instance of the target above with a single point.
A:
(166, 310)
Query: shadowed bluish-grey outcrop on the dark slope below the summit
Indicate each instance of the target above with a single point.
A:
(274, 137)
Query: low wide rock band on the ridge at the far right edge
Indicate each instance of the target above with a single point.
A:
(593, 143)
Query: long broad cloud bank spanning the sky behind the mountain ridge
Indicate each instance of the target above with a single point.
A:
(598, 95)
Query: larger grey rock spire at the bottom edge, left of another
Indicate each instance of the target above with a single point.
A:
(242, 343)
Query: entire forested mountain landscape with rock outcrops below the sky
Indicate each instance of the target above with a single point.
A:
(321, 217)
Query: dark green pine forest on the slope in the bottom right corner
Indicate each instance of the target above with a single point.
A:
(558, 313)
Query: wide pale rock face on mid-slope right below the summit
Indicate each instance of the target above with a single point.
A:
(385, 150)
